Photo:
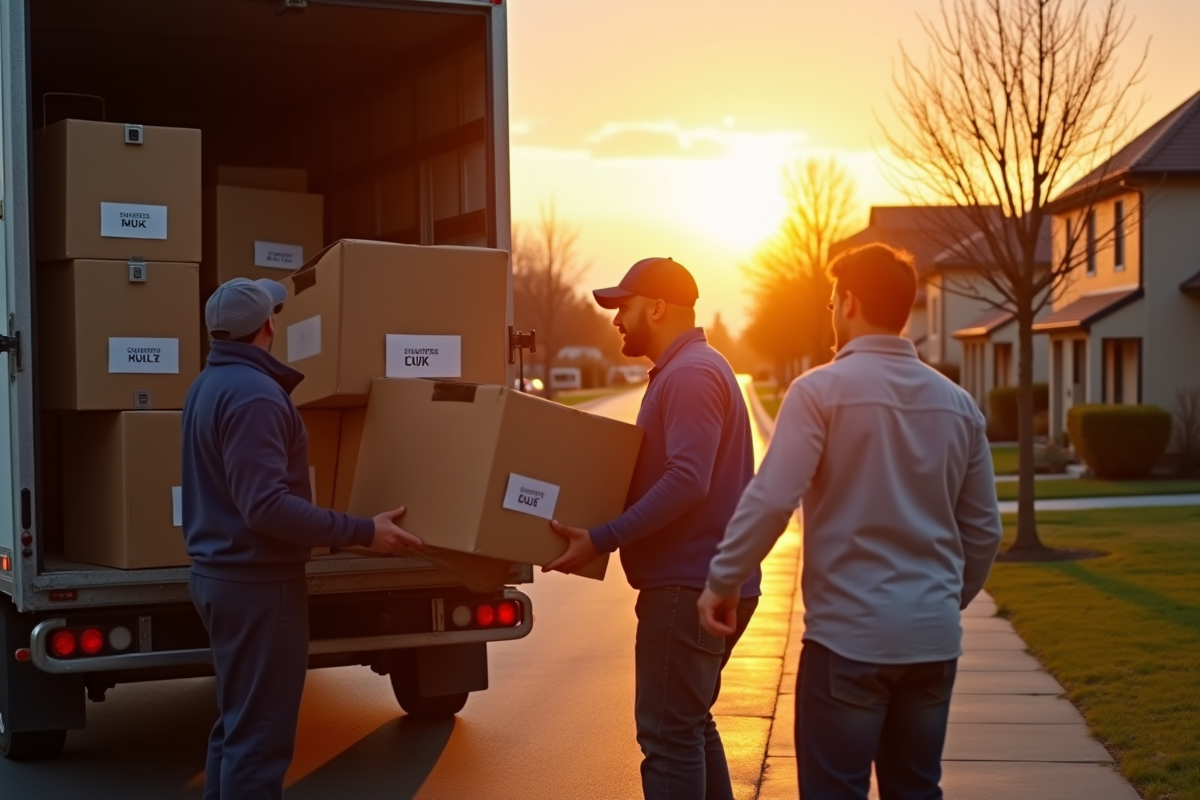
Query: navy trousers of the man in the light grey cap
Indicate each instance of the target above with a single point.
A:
(260, 639)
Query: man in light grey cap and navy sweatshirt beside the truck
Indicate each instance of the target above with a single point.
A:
(251, 527)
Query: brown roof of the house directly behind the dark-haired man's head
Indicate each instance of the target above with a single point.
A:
(921, 230)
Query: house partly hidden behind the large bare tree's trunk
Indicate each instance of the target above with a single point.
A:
(983, 340)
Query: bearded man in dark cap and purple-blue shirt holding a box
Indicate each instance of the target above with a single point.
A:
(695, 462)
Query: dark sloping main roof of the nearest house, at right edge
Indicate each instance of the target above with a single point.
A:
(1171, 146)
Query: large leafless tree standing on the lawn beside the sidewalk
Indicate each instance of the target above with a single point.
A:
(1017, 101)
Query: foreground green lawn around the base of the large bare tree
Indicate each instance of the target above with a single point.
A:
(1123, 635)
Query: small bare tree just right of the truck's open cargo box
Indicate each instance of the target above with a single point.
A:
(547, 272)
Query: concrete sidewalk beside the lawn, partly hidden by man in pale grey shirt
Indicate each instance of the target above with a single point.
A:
(1013, 736)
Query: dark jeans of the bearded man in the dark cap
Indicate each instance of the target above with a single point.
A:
(679, 672)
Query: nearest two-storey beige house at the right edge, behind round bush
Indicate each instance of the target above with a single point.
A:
(1129, 323)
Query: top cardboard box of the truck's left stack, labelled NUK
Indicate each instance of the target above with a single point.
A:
(99, 197)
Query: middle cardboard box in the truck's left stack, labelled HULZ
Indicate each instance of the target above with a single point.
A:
(107, 344)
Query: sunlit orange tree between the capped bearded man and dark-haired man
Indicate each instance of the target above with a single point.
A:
(789, 321)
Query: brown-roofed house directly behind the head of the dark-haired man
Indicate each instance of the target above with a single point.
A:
(922, 232)
